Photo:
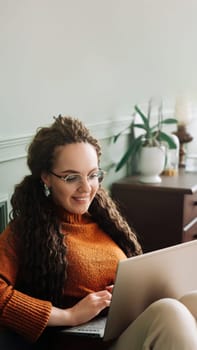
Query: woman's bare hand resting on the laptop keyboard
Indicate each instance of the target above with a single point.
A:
(90, 306)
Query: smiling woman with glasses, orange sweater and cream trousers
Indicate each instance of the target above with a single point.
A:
(60, 250)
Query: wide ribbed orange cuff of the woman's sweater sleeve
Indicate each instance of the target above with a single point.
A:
(26, 315)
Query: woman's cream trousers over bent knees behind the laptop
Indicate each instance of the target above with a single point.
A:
(167, 324)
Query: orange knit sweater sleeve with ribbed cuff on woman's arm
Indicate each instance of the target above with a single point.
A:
(23, 314)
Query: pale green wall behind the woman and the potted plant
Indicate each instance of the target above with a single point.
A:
(92, 59)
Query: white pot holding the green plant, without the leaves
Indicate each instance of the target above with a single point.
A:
(151, 164)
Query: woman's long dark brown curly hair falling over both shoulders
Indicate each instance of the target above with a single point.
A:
(33, 220)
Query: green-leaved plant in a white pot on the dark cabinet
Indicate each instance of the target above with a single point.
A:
(151, 140)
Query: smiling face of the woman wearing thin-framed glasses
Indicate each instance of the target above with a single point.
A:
(76, 194)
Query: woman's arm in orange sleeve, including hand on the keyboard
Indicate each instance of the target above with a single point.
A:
(29, 316)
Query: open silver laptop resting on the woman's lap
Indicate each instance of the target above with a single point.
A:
(141, 280)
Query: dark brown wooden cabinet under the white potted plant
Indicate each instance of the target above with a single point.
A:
(162, 214)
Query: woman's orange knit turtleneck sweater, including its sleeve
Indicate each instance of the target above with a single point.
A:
(92, 262)
